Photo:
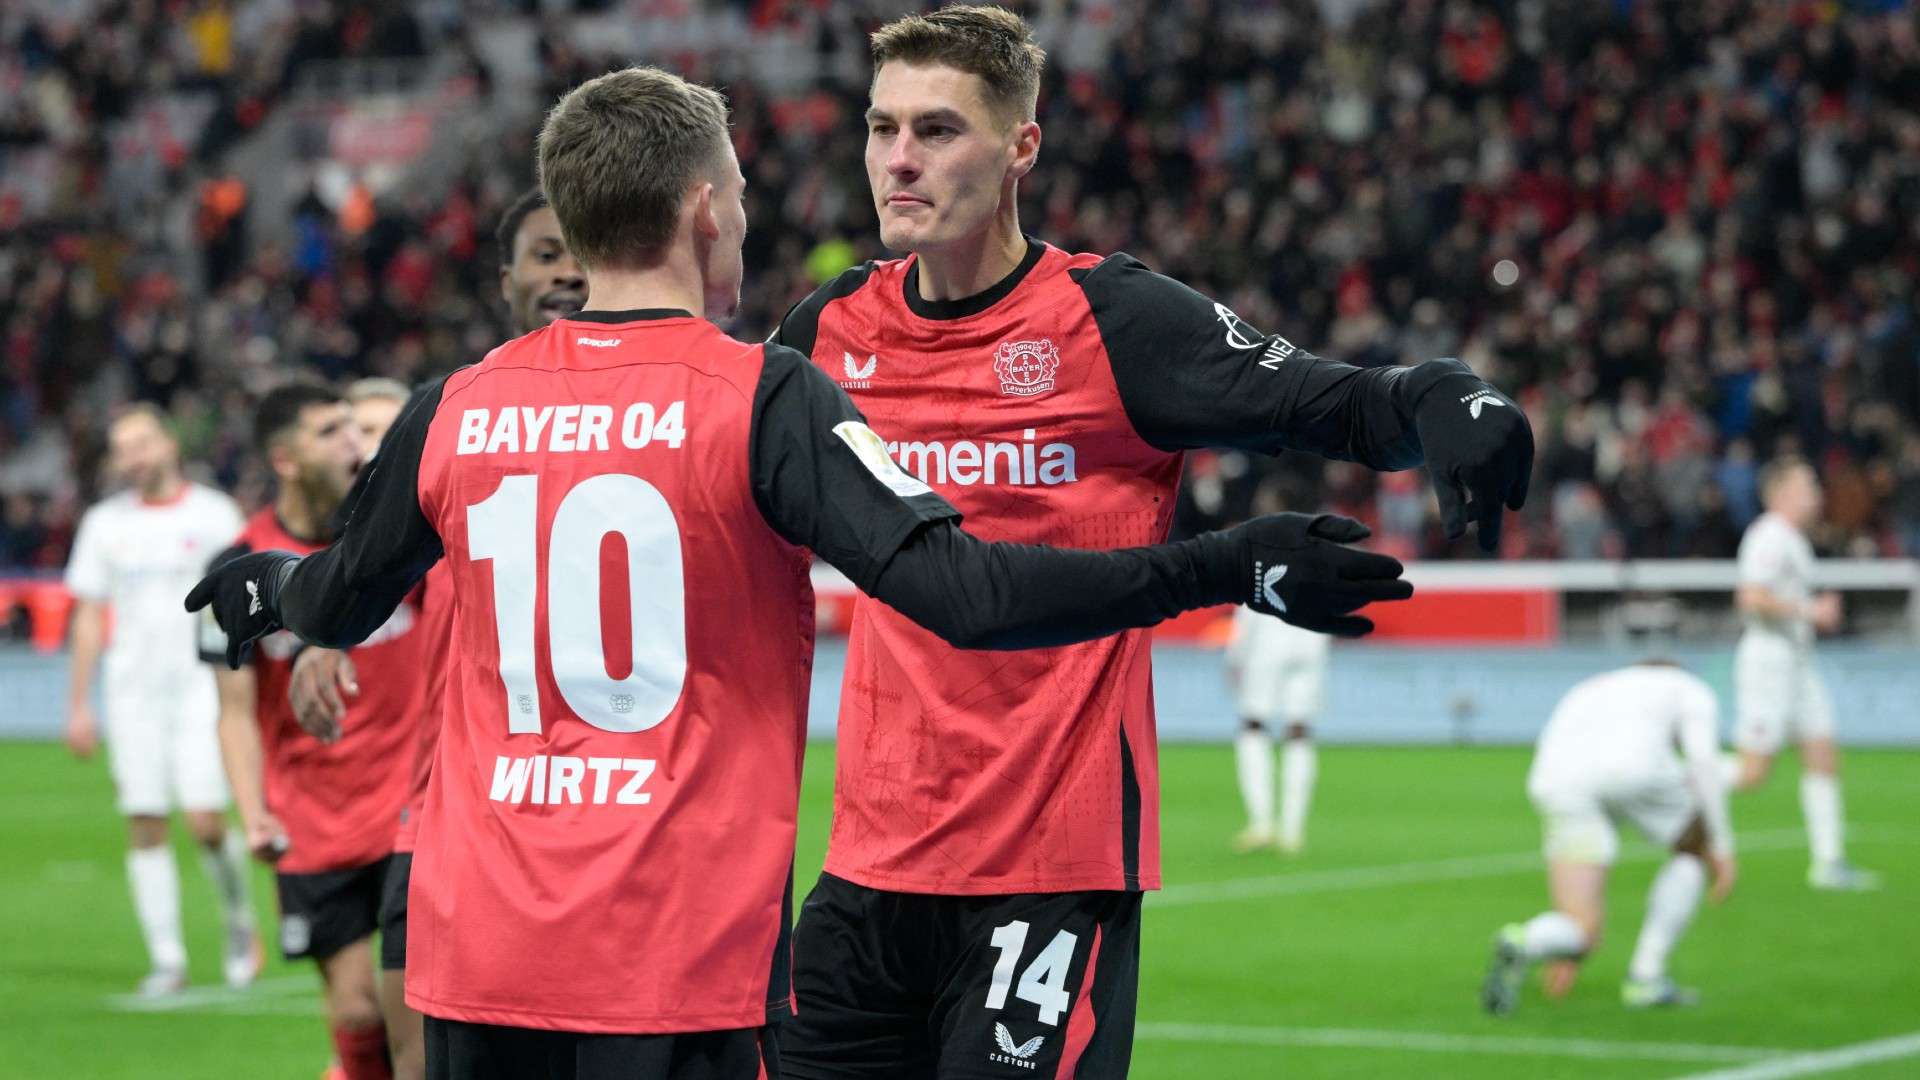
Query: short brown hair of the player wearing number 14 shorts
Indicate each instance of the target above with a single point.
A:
(984, 41)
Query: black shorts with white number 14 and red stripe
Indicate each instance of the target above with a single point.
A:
(907, 987)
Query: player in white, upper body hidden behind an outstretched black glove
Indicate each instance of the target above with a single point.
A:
(1280, 679)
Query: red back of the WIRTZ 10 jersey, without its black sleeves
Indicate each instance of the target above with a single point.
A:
(610, 825)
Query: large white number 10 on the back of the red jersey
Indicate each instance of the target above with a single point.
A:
(504, 529)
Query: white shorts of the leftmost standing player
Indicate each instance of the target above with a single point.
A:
(164, 749)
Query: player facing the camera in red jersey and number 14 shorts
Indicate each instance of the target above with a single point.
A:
(1011, 802)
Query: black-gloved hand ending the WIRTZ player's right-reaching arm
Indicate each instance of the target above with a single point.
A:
(1299, 570)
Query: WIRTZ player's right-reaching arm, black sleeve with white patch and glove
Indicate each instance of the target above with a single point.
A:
(825, 481)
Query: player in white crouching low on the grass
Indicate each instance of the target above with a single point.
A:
(1608, 756)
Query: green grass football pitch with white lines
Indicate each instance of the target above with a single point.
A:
(1360, 958)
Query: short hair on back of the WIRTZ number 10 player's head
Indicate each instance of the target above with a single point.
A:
(617, 159)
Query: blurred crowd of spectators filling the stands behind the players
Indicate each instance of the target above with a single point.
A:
(1685, 235)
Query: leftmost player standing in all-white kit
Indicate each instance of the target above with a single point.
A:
(133, 554)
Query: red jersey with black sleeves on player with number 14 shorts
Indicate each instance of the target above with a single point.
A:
(1049, 410)
